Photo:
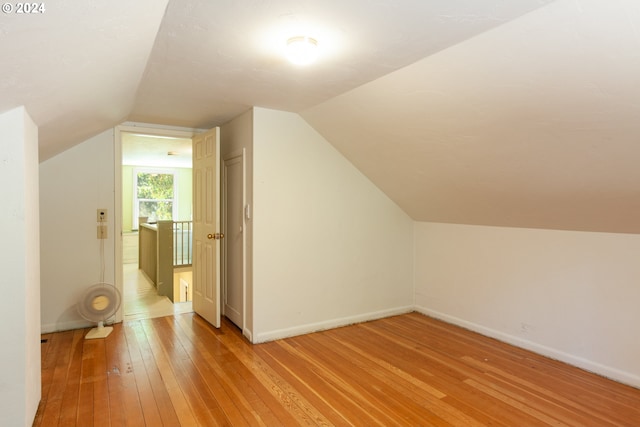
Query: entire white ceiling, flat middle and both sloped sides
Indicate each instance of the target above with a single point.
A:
(511, 113)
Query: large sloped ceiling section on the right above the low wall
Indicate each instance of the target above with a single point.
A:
(535, 123)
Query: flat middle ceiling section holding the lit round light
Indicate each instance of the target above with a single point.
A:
(213, 60)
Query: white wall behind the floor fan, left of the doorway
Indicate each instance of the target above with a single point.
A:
(73, 185)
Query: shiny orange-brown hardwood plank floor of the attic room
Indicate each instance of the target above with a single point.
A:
(406, 370)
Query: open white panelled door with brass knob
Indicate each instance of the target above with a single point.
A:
(206, 226)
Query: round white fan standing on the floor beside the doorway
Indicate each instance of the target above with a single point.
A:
(97, 304)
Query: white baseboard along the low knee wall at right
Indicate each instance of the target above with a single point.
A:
(552, 353)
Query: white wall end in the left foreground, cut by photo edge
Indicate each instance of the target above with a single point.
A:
(20, 390)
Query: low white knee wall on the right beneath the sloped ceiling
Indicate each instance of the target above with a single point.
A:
(569, 295)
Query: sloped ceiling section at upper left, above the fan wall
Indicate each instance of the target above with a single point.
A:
(76, 66)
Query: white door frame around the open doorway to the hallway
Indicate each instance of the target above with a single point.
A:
(161, 131)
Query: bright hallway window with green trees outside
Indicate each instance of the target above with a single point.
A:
(154, 195)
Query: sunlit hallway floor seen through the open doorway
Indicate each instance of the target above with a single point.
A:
(141, 300)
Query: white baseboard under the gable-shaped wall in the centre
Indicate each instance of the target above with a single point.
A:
(328, 324)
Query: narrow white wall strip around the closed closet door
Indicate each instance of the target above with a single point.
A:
(235, 136)
